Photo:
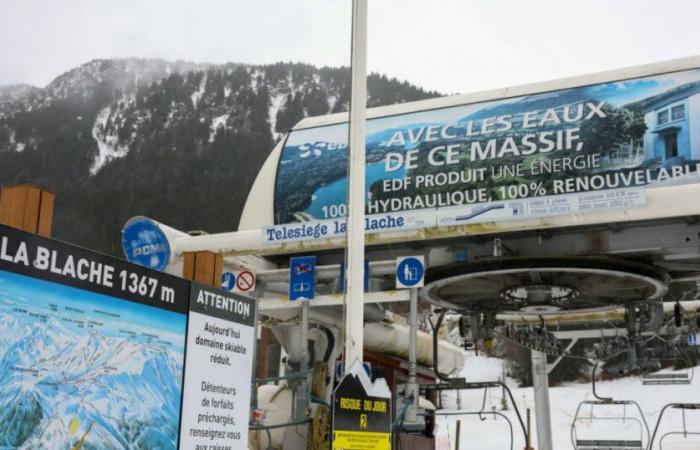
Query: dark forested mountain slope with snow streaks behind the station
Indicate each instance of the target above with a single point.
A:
(179, 142)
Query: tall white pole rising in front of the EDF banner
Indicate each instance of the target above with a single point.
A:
(354, 305)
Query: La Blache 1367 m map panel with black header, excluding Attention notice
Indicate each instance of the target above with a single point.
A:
(91, 348)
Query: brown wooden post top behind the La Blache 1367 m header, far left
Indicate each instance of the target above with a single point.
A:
(28, 208)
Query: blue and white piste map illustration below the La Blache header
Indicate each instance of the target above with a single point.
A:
(81, 370)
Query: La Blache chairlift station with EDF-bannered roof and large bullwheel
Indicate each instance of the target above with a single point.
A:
(544, 215)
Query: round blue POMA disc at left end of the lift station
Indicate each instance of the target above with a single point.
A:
(145, 244)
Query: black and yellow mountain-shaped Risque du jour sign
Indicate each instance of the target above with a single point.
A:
(361, 412)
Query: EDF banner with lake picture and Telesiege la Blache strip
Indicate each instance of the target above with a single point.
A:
(569, 151)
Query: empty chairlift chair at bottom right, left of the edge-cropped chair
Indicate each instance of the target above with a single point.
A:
(636, 442)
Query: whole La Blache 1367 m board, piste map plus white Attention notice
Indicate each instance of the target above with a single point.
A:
(92, 353)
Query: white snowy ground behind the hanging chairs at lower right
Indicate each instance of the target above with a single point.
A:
(493, 434)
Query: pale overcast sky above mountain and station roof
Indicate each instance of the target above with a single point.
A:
(453, 46)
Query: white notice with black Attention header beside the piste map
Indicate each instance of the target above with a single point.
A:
(218, 368)
